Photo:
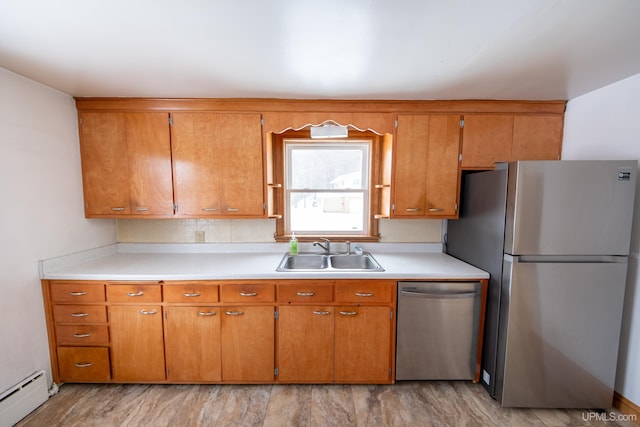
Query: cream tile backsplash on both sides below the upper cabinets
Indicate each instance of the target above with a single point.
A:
(254, 230)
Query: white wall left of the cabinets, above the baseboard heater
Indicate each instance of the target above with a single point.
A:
(41, 215)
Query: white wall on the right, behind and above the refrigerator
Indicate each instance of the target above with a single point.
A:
(605, 124)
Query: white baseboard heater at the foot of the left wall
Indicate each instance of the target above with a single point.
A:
(20, 400)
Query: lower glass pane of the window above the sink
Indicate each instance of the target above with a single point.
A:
(327, 212)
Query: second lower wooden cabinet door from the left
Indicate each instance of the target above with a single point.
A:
(192, 343)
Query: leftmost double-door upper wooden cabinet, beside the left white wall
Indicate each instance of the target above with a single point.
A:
(126, 164)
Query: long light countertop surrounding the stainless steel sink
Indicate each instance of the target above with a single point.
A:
(244, 261)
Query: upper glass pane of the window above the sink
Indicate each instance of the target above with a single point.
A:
(327, 167)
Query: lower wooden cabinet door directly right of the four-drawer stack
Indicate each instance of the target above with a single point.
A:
(137, 346)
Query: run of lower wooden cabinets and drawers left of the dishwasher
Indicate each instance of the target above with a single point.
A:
(291, 331)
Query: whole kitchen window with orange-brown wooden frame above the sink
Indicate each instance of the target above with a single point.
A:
(327, 186)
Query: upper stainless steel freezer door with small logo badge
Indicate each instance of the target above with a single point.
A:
(570, 207)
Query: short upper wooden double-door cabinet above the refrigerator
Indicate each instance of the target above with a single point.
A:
(490, 138)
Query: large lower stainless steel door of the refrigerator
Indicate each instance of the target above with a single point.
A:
(560, 329)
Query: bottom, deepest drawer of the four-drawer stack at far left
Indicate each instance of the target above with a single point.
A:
(84, 364)
